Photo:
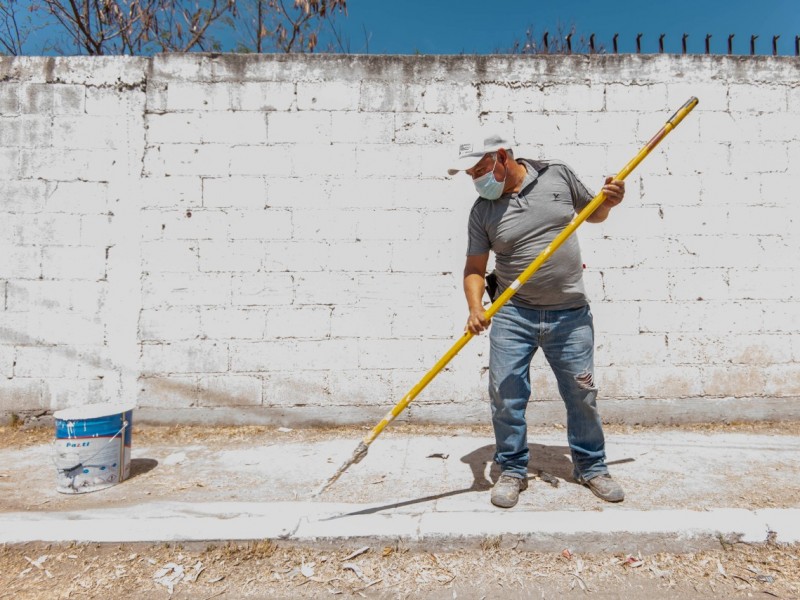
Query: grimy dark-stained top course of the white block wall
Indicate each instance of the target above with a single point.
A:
(124, 71)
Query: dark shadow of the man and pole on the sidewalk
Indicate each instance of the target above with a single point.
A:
(550, 463)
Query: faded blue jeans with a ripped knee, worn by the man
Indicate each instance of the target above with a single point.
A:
(567, 339)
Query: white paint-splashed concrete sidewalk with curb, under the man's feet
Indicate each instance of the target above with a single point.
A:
(685, 491)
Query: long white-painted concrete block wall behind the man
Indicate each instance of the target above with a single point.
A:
(273, 239)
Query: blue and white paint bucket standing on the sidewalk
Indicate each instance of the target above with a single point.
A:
(92, 447)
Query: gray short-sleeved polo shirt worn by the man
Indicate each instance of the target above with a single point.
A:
(518, 227)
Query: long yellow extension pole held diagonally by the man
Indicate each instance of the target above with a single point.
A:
(361, 450)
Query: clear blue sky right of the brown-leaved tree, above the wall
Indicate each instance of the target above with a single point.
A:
(481, 27)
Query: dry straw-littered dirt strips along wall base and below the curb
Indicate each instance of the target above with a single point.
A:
(269, 570)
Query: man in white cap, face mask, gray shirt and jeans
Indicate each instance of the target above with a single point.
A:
(523, 205)
